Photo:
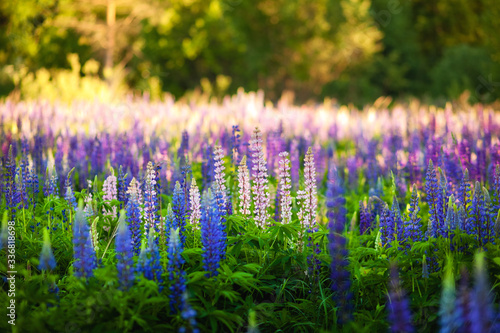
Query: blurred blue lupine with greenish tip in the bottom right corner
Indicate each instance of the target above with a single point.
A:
(482, 313)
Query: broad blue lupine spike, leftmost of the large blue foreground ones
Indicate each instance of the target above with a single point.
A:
(85, 258)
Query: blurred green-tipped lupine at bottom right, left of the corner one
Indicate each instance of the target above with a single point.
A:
(447, 312)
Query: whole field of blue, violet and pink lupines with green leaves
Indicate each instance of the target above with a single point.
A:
(242, 216)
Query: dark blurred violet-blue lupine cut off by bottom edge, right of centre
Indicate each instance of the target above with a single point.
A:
(399, 308)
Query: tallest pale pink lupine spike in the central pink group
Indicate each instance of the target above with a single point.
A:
(260, 187)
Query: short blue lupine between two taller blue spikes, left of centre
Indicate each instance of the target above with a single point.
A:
(149, 263)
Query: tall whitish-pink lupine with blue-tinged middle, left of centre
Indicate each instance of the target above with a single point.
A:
(151, 218)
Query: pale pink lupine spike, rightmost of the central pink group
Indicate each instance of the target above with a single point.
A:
(307, 213)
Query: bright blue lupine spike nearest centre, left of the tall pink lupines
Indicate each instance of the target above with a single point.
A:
(212, 235)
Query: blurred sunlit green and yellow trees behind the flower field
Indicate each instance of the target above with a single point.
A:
(351, 50)
